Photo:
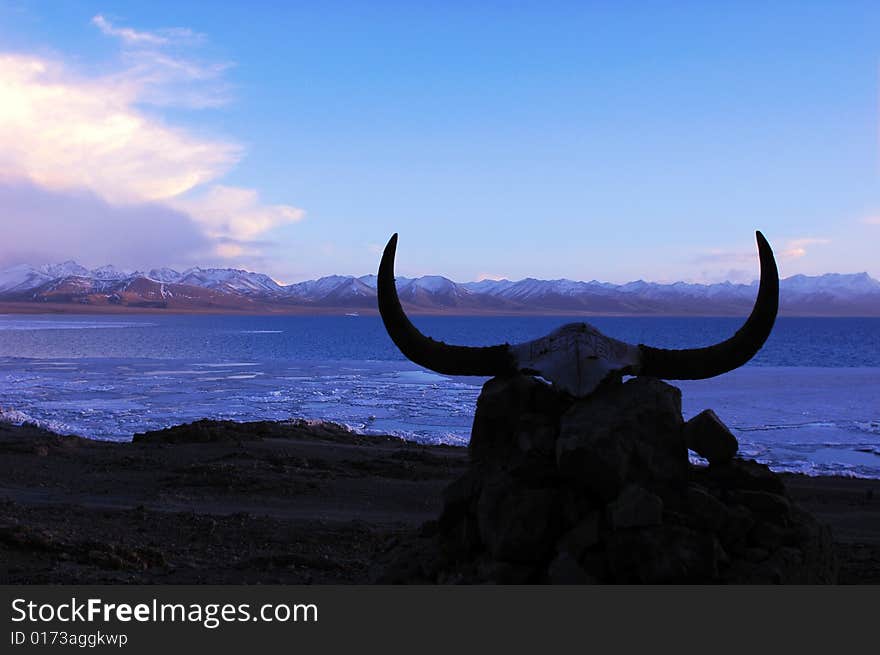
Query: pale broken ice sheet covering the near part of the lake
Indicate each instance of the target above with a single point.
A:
(809, 420)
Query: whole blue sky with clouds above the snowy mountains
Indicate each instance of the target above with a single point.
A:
(613, 141)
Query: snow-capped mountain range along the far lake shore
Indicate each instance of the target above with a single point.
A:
(213, 289)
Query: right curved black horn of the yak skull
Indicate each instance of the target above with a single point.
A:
(699, 363)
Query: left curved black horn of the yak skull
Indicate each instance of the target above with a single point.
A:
(424, 351)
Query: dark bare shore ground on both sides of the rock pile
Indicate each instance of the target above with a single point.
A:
(264, 502)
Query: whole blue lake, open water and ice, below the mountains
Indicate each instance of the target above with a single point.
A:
(809, 401)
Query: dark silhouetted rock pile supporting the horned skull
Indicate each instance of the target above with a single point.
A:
(601, 490)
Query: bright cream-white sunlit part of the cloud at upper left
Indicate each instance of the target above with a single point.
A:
(64, 132)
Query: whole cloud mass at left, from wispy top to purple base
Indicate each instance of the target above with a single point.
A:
(71, 135)
